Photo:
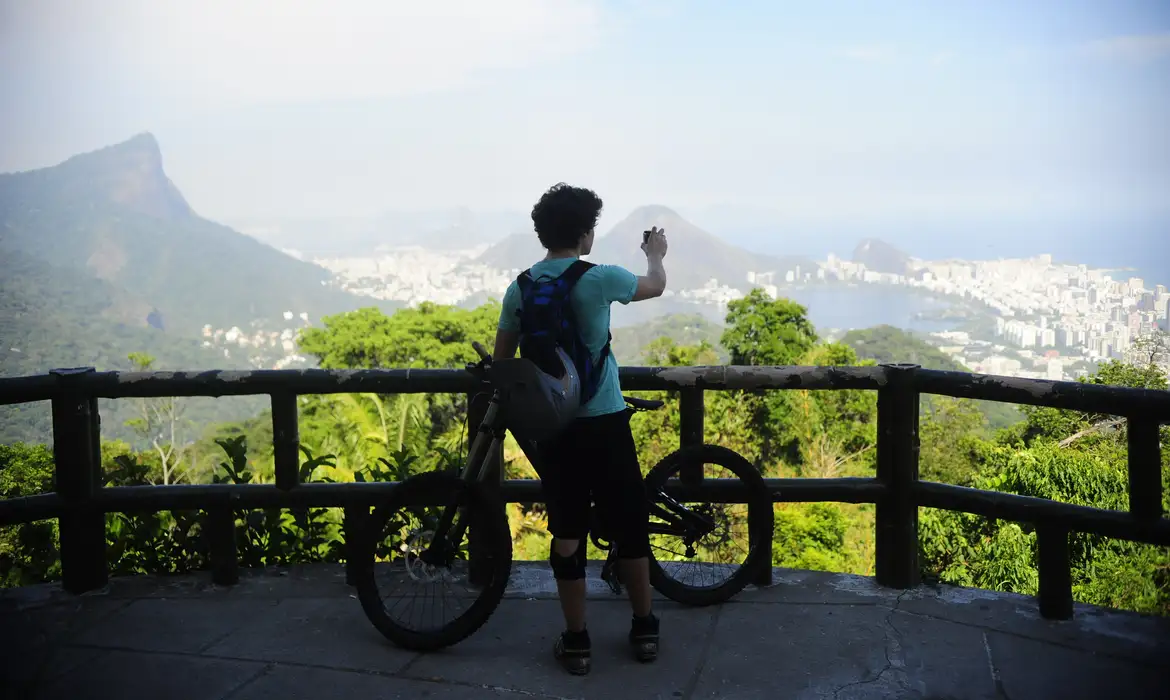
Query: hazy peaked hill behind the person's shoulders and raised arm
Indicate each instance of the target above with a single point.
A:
(696, 257)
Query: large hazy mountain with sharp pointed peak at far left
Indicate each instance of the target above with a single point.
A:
(115, 216)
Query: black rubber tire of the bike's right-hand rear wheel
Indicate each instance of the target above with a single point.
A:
(760, 525)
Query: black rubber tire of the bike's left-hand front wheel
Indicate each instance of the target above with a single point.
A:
(492, 523)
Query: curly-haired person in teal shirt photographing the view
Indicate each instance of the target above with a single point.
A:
(594, 458)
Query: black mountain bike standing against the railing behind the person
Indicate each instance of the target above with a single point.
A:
(421, 533)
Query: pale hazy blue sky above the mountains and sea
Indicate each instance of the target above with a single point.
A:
(817, 109)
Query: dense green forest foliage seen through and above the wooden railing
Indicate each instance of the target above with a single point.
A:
(1048, 454)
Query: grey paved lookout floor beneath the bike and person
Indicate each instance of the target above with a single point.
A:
(301, 634)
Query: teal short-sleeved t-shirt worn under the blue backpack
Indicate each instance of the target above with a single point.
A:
(591, 299)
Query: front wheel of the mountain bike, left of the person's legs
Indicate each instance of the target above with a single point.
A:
(390, 551)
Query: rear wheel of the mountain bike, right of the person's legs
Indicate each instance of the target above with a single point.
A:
(739, 543)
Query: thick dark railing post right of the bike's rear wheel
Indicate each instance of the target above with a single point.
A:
(898, 469)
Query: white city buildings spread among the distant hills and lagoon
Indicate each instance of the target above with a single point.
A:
(1051, 321)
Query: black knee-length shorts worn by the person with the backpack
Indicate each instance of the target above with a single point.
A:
(595, 458)
